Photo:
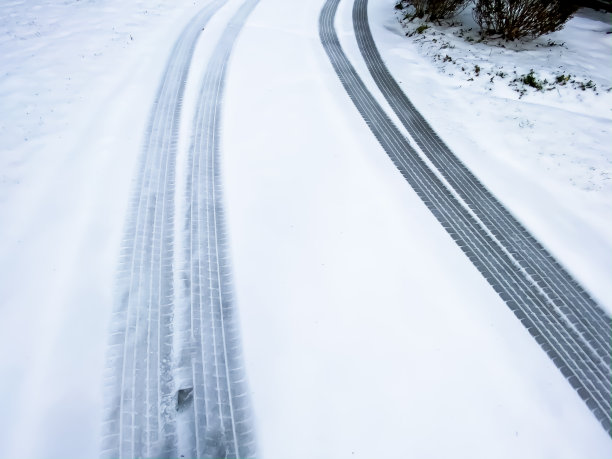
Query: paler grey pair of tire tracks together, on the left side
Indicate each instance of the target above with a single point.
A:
(146, 397)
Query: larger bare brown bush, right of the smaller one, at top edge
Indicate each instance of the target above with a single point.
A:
(514, 19)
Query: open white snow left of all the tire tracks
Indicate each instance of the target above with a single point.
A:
(75, 92)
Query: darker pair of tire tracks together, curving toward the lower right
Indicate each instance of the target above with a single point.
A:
(565, 321)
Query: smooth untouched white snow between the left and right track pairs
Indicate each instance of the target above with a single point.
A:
(366, 332)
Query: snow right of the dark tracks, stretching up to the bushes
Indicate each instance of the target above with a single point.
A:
(545, 155)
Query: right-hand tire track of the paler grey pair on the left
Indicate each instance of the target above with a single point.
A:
(217, 415)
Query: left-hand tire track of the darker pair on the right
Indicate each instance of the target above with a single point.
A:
(530, 303)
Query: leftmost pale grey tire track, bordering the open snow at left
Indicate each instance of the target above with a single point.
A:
(140, 396)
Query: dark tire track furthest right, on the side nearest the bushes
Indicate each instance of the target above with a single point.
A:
(564, 292)
